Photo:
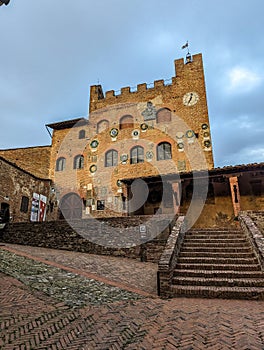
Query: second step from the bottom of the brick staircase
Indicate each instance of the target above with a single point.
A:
(214, 281)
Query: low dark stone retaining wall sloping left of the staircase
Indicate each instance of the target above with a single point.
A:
(86, 236)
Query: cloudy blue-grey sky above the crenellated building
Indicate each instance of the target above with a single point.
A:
(53, 50)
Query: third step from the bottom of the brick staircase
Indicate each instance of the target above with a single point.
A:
(219, 273)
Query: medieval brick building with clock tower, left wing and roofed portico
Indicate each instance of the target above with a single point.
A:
(143, 151)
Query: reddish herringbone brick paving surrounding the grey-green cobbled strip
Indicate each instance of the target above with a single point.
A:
(31, 319)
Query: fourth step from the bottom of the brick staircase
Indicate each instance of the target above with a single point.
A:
(218, 266)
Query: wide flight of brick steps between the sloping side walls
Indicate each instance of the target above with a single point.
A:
(215, 263)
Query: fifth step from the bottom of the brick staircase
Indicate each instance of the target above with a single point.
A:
(213, 261)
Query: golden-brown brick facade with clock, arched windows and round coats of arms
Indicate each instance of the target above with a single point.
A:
(166, 126)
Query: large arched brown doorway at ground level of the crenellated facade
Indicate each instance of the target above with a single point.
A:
(71, 207)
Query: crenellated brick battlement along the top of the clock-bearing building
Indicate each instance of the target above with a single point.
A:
(182, 68)
